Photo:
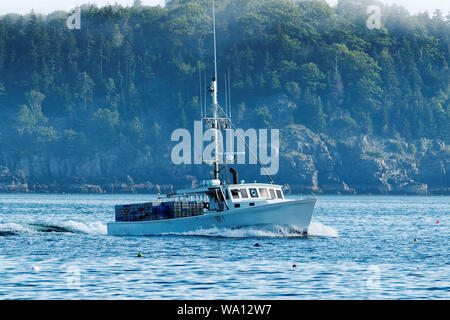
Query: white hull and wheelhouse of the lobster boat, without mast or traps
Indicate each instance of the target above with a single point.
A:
(227, 206)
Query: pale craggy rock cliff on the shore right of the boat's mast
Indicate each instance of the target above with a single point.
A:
(363, 165)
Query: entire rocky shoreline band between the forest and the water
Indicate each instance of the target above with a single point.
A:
(309, 163)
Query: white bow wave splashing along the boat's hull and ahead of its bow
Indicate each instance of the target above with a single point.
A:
(316, 229)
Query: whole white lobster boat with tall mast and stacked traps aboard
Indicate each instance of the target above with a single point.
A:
(215, 203)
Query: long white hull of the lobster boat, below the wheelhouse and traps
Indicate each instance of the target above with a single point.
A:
(296, 213)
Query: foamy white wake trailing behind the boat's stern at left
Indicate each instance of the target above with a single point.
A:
(69, 226)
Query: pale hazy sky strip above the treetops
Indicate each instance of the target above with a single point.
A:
(47, 6)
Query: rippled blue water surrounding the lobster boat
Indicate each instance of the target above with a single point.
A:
(359, 247)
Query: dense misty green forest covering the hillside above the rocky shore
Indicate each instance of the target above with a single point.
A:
(130, 75)
